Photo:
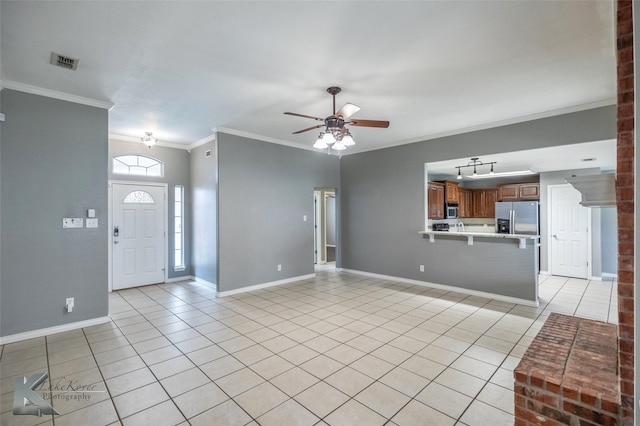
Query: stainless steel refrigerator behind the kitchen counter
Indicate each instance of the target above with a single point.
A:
(517, 217)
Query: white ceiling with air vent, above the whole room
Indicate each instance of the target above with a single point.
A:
(180, 69)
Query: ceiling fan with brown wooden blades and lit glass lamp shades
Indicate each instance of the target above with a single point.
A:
(336, 135)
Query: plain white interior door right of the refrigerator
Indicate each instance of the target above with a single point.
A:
(569, 232)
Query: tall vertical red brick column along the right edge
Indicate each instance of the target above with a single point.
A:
(625, 204)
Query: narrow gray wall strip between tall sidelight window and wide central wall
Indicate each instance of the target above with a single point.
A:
(204, 183)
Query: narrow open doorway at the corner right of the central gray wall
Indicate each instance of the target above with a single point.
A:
(324, 236)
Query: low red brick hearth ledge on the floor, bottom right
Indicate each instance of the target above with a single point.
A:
(569, 375)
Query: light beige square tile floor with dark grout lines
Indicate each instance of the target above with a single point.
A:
(340, 349)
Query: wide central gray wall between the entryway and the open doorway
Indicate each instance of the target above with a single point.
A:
(264, 190)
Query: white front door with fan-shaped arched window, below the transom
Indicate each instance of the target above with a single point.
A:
(138, 235)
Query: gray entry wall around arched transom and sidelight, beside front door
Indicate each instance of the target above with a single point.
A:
(176, 172)
